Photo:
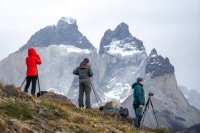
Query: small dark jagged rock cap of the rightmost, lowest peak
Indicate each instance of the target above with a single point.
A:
(157, 65)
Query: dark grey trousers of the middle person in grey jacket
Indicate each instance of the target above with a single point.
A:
(84, 87)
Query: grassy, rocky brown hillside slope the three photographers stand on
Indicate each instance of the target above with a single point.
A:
(54, 113)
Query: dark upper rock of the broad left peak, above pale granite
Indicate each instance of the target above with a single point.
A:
(65, 32)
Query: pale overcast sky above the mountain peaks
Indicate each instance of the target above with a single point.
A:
(170, 26)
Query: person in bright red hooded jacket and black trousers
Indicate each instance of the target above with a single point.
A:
(32, 61)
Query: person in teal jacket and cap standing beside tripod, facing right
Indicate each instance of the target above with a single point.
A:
(139, 100)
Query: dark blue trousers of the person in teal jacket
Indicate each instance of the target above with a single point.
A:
(138, 115)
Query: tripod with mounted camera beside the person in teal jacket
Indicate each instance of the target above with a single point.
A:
(145, 109)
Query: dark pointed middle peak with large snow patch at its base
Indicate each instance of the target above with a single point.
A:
(120, 41)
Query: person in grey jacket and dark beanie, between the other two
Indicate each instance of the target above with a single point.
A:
(84, 72)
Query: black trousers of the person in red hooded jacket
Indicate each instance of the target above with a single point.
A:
(30, 79)
